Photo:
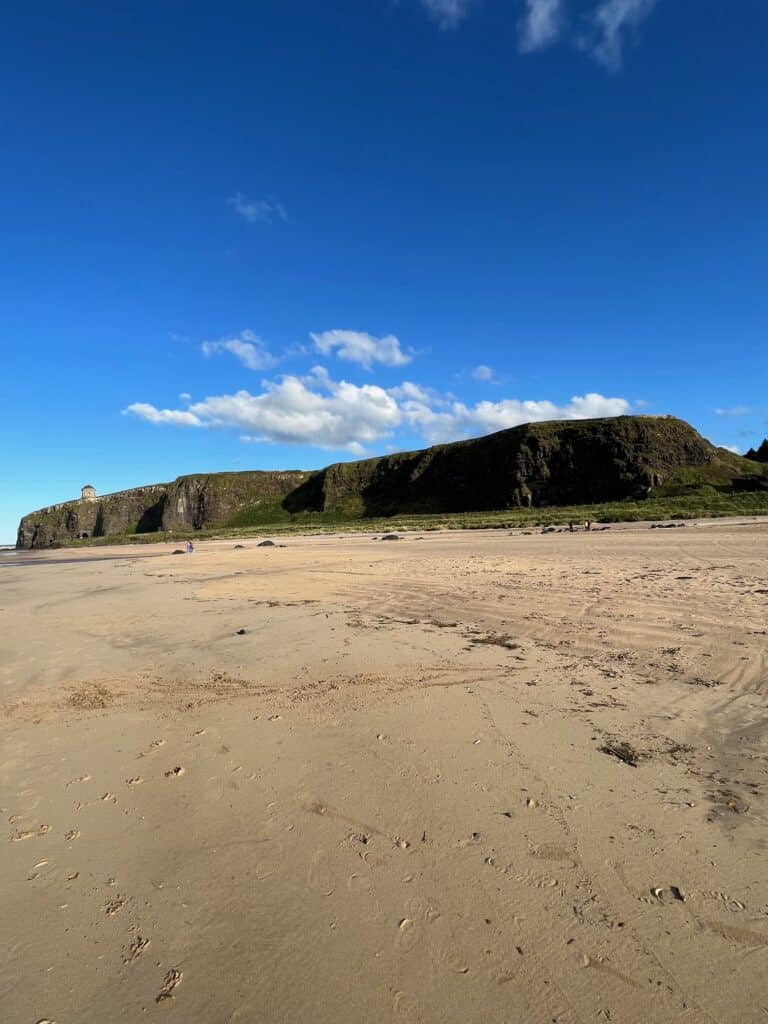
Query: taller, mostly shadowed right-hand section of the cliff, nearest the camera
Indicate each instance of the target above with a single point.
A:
(562, 463)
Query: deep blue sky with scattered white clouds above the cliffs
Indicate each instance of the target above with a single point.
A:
(283, 234)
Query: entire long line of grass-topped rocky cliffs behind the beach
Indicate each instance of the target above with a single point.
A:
(540, 464)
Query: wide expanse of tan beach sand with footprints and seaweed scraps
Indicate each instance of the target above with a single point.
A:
(400, 794)
